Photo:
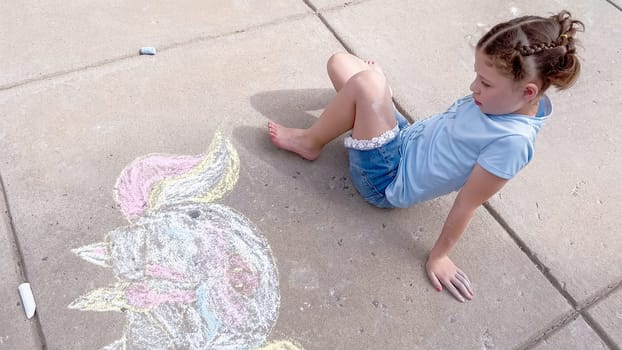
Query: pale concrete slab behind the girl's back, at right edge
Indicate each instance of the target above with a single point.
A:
(569, 220)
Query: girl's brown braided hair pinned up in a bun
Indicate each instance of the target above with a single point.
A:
(536, 47)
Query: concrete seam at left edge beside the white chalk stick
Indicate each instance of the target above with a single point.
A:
(18, 257)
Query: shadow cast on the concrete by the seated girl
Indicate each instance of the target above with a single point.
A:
(328, 176)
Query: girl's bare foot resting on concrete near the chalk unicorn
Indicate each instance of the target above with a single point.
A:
(293, 140)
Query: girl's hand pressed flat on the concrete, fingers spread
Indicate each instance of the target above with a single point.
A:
(443, 272)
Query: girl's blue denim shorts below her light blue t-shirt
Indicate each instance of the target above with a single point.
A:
(373, 170)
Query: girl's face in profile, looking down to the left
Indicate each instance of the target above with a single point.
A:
(496, 93)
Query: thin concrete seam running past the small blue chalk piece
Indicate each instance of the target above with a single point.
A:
(160, 48)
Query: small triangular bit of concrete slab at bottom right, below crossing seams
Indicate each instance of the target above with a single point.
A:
(577, 335)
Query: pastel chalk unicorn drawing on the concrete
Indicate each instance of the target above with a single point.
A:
(191, 274)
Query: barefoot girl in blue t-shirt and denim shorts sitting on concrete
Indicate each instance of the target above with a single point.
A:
(476, 146)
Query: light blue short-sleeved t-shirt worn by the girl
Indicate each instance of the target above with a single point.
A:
(439, 153)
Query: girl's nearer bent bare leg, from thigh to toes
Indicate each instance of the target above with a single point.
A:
(362, 104)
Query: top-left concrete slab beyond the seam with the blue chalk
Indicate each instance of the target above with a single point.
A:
(40, 38)
